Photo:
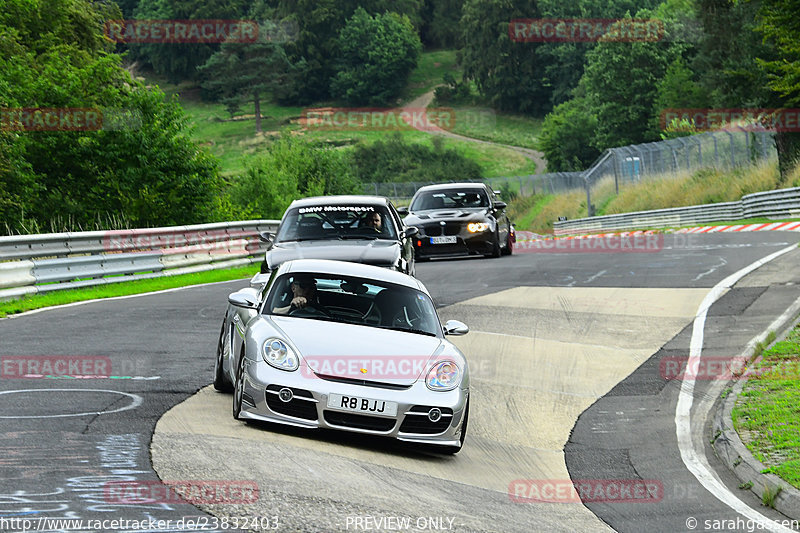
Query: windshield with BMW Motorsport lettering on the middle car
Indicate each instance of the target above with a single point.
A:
(327, 222)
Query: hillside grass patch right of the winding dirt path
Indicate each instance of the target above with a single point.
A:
(488, 125)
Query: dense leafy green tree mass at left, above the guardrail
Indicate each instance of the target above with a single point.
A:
(142, 165)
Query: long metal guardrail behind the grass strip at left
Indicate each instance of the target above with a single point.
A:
(54, 261)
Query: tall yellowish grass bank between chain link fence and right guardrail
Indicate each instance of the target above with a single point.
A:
(537, 213)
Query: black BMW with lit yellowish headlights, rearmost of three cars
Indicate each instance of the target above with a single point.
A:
(457, 219)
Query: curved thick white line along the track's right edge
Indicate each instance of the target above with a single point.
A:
(693, 459)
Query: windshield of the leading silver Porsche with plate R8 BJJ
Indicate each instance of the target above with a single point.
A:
(353, 300)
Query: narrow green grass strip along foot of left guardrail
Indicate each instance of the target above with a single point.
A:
(38, 301)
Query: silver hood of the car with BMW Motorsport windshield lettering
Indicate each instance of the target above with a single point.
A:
(379, 252)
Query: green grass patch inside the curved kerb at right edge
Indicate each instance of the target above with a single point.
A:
(767, 413)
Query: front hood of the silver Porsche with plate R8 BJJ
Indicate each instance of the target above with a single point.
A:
(363, 353)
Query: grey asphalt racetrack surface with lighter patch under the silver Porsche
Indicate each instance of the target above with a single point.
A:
(602, 412)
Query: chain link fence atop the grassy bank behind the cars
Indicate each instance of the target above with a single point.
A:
(631, 164)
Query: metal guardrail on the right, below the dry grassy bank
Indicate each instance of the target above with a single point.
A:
(783, 203)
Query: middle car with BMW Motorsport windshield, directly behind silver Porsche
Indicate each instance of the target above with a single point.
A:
(359, 229)
